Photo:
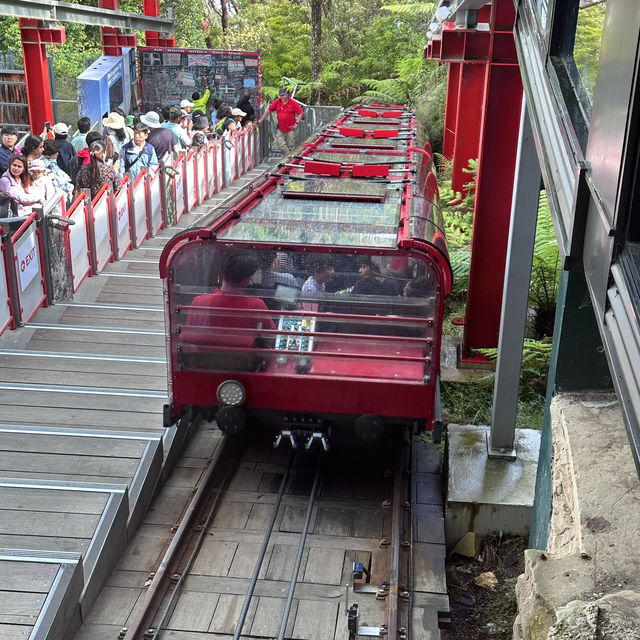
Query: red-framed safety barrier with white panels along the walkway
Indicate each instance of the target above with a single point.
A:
(39, 265)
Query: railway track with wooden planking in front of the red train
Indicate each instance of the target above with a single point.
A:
(290, 543)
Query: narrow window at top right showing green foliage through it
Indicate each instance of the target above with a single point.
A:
(575, 52)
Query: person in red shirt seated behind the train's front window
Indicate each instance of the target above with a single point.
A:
(237, 268)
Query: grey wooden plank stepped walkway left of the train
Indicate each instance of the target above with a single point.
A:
(83, 449)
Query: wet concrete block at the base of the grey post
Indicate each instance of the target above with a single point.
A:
(488, 494)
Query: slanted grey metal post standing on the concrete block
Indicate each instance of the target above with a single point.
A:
(515, 297)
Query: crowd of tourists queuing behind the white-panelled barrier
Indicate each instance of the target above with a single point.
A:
(54, 164)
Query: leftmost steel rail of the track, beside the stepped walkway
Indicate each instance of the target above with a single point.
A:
(141, 611)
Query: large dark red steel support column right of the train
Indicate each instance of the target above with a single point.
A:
(486, 126)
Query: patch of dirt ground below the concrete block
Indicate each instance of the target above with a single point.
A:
(480, 613)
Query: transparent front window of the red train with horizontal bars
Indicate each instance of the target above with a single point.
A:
(294, 313)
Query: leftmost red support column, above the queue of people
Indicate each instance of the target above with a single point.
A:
(36, 70)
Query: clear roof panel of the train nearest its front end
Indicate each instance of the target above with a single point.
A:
(276, 219)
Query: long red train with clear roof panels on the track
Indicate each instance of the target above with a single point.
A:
(312, 302)
